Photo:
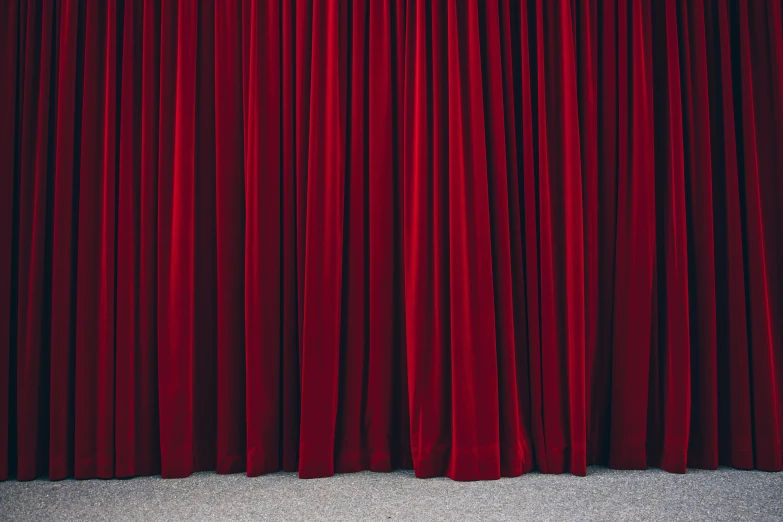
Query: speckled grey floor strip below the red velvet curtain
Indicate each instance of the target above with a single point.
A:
(725, 494)
